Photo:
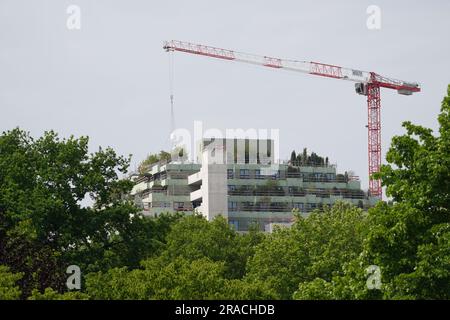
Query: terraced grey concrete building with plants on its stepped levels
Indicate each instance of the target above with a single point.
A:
(251, 189)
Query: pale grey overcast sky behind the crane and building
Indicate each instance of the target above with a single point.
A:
(110, 79)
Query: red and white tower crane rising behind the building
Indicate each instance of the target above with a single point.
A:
(367, 83)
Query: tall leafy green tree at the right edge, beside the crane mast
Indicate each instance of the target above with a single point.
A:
(408, 238)
